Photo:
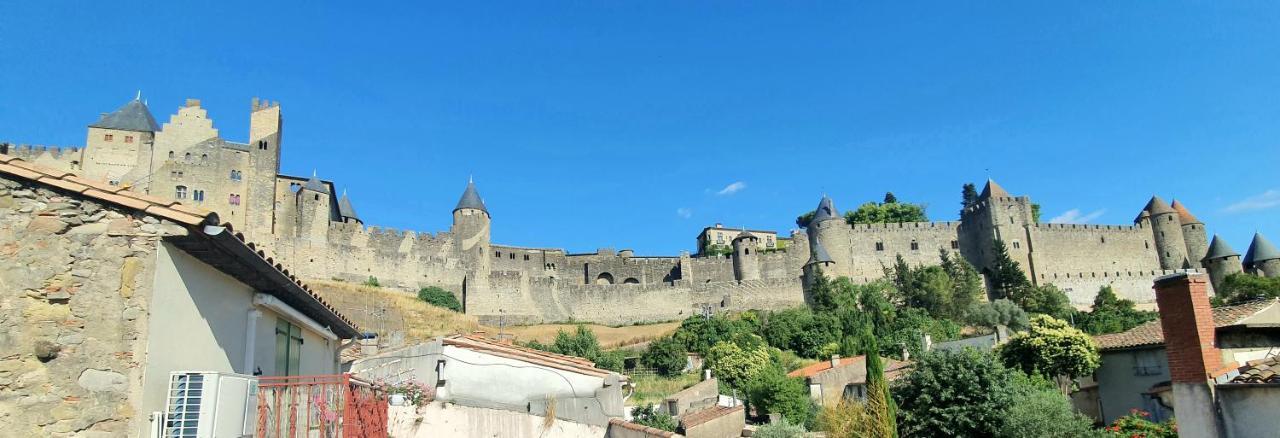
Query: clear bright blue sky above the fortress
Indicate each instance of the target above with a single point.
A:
(611, 124)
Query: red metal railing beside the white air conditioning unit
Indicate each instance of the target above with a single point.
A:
(324, 407)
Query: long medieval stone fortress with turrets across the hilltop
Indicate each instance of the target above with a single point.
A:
(304, 223)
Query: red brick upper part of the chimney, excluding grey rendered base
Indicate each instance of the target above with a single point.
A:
(1188, 323)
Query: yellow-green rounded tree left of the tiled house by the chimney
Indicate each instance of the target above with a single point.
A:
(1053, 349)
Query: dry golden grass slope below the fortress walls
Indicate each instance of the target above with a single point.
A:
(386, 312)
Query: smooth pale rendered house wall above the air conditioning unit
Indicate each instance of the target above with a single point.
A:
(202, 325)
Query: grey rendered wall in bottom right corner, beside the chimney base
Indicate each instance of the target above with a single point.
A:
(1249, 410)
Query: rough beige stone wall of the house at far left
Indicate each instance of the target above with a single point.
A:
(74, 318)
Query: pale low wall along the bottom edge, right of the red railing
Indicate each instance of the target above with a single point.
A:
(440, 419)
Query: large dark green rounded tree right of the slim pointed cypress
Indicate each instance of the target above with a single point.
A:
(954, 394)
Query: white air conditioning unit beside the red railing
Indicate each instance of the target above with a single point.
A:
(211, 405)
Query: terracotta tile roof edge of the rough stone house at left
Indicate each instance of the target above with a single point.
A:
(156, 207)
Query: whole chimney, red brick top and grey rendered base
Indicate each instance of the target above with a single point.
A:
(1187, 321)
